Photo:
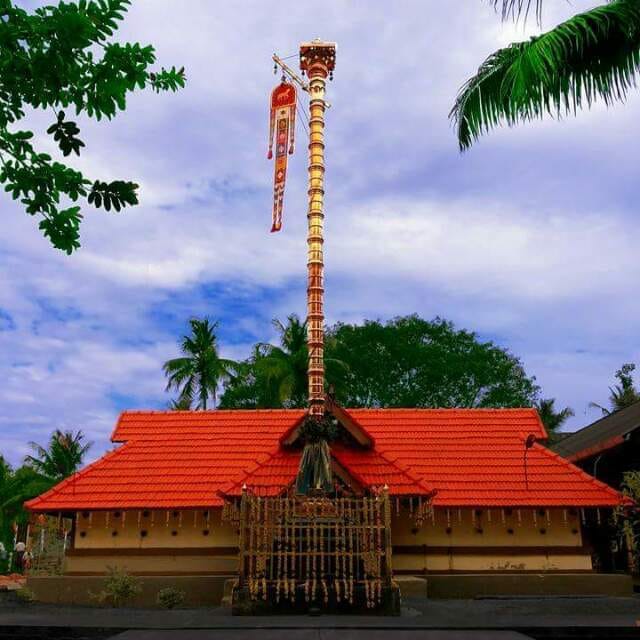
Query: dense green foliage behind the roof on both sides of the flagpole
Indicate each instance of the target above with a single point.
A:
(407, 362)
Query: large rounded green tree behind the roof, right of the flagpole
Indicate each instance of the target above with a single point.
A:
(411, 362)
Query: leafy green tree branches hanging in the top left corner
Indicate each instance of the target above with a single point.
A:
(61, 57)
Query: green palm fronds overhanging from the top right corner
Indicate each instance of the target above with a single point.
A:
(594, 55)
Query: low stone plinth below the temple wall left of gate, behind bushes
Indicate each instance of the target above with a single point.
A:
(200, 591)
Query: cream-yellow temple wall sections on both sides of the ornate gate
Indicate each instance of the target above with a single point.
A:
(464, 541)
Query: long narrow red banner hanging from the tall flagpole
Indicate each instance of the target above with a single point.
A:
(282, 123)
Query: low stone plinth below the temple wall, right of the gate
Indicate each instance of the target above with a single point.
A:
(465, 586)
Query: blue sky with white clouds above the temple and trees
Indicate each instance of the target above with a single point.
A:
(529, 239)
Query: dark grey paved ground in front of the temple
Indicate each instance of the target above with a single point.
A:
(504, 613)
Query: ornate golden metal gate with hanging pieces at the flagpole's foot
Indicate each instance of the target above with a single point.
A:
(316, 550)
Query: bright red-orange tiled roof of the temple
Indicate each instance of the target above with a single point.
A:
(466, 456)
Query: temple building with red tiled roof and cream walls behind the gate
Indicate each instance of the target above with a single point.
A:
(467, 496)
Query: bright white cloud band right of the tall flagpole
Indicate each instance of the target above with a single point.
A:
(485, 247)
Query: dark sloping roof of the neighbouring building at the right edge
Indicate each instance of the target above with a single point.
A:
(601, 435)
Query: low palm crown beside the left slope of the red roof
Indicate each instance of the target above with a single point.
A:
(61, 457)
